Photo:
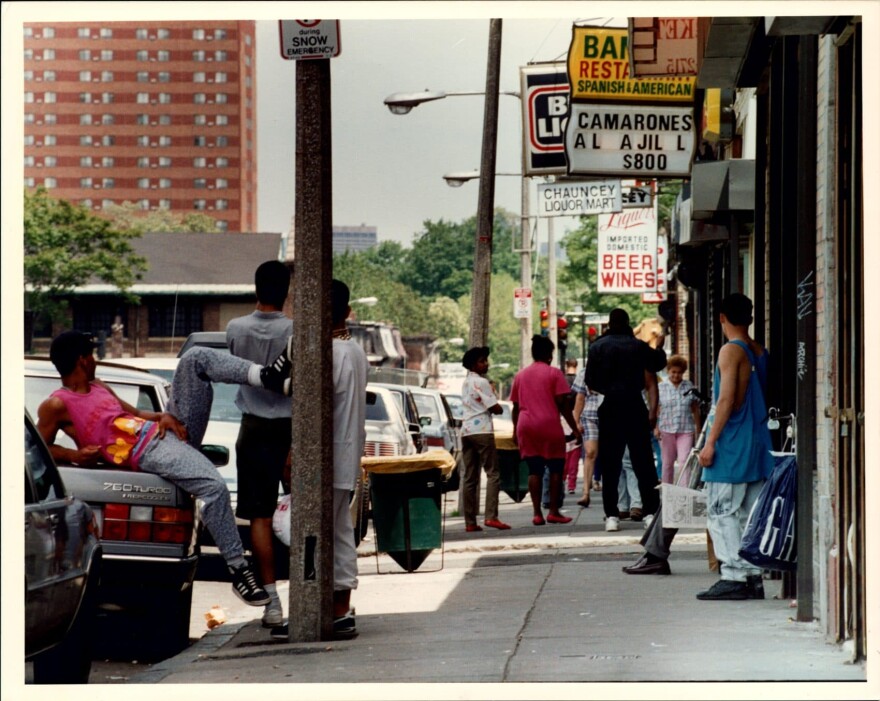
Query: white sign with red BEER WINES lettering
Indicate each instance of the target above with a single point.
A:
(628, 251)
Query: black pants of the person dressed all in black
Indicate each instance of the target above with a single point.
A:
(624, 424)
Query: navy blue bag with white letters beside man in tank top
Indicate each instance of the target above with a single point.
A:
(769, 539)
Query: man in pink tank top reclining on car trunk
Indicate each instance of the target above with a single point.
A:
(104, 427)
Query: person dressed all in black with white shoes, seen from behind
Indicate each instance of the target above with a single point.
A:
(620, 367)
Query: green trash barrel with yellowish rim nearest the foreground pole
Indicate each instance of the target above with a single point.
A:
(407, 514)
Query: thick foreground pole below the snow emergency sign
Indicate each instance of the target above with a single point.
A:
(311, 502)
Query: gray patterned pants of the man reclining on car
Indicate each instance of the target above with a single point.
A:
(181, 462)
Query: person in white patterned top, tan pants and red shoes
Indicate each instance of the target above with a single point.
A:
(479, 403)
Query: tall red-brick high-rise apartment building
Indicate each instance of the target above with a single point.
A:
(161, 114)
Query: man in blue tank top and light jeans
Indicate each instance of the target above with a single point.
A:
(736, 457)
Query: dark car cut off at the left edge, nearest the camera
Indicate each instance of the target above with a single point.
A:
(62, 569)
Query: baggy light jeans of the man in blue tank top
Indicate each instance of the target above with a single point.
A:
(728, 507)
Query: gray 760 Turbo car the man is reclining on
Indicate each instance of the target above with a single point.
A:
(148, 527)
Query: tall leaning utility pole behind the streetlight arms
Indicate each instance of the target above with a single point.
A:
(479, 321)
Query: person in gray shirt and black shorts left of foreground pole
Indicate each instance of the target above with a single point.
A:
(262, 450)
